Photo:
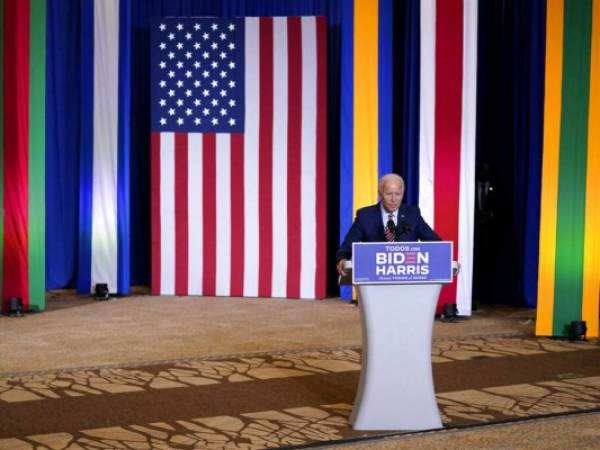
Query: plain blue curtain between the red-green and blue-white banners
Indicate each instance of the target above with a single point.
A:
(62, 142)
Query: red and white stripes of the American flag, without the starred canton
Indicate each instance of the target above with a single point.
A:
(245, 211)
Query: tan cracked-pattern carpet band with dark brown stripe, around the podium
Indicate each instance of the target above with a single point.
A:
(259, 401)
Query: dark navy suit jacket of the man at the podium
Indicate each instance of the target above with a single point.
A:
(368, 227)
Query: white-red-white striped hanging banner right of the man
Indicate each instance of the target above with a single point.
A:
(448, 83)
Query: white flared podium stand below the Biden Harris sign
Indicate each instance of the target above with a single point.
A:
(396, 390)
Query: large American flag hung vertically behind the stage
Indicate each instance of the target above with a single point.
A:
(238, 156)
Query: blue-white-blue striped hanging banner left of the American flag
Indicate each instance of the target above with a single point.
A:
(105, 145)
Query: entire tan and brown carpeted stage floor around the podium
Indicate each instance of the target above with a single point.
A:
(168, 372)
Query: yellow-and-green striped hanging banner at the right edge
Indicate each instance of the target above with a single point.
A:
(569, 255)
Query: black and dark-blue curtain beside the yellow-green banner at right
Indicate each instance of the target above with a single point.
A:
(509, 145)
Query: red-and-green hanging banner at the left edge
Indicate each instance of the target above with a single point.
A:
(22, 151)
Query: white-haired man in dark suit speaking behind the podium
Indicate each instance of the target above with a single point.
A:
(386, 221)
